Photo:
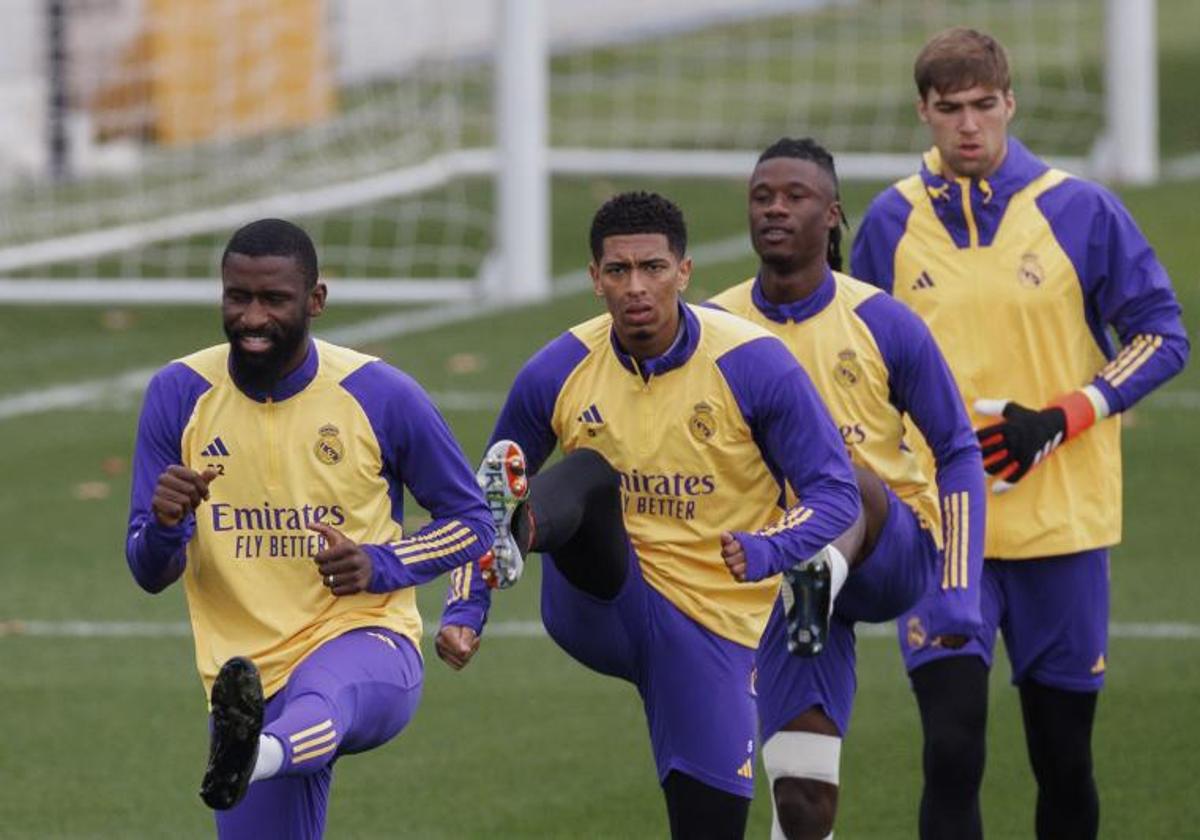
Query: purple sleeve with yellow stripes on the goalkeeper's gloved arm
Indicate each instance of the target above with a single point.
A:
(1125, 287)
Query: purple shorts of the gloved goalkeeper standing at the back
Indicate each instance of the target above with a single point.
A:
(1053, 613)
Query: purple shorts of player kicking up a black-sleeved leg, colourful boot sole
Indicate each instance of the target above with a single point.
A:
(695, 686)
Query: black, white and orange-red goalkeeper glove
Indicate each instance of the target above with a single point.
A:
(1027, 437)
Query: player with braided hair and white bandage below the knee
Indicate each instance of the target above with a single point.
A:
(879, 370)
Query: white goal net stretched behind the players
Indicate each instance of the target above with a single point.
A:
(139, 134)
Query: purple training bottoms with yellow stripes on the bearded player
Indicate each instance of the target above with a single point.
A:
(352, 694)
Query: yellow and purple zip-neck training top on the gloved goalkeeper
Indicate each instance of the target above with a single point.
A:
(1019, 278)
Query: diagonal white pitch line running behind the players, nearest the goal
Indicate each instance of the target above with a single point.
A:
(110, 389)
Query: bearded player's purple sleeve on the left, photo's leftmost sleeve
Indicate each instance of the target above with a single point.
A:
(157, 555)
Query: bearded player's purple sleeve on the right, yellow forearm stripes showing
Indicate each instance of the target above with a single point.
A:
(421, 453)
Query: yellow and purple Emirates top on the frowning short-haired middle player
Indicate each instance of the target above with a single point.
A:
(723, 433)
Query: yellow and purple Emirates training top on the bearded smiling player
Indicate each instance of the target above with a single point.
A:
(335, 442)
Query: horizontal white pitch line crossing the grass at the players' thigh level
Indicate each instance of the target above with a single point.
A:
(508, 629)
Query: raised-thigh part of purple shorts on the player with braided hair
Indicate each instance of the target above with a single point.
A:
(897, 574)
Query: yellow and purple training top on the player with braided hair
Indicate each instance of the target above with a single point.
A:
(878, 369)
